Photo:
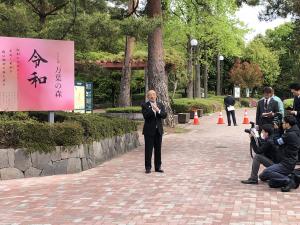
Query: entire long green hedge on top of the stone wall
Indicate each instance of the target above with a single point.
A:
(73, 129)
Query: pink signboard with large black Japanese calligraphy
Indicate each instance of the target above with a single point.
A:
(36, 75)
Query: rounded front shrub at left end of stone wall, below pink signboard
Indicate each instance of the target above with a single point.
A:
(36, 136)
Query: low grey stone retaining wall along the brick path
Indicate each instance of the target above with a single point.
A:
(14, 163)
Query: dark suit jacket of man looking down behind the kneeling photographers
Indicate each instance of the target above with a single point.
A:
(272, 107)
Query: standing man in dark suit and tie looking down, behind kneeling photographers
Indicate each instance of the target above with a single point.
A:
(266, 108)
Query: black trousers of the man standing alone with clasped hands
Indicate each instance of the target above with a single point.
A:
(150, 143)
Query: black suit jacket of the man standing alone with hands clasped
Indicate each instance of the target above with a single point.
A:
(151, 121)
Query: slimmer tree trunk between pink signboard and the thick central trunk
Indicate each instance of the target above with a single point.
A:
(124, 97)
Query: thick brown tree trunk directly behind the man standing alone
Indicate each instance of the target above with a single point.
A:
(156, 64)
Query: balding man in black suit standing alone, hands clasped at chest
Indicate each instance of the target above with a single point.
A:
(153, 113)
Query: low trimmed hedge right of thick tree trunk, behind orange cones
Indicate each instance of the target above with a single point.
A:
(186, 105)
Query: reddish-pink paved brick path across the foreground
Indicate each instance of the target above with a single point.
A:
(201, 186)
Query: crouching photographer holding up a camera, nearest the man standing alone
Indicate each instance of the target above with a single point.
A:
(266, 152)
